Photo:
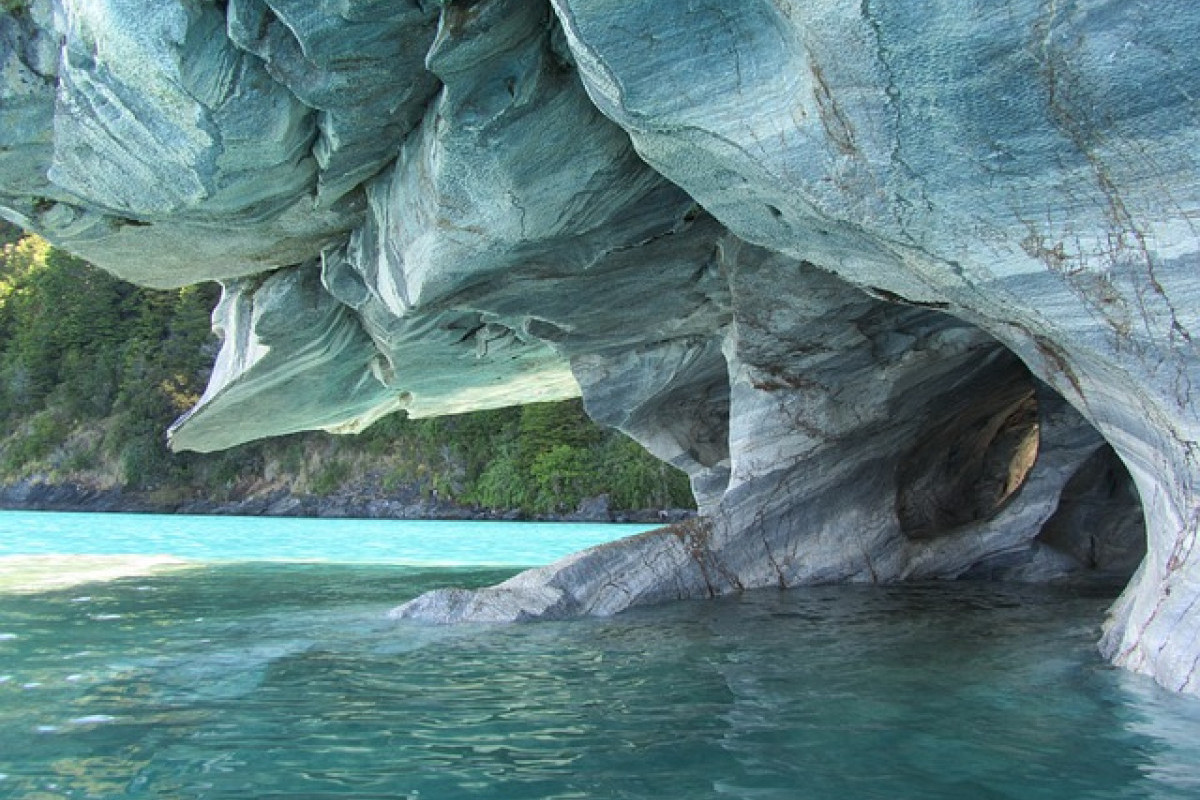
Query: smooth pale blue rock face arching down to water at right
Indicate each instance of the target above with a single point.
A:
(1028, 167)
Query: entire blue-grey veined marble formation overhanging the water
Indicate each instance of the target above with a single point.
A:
(909, 292)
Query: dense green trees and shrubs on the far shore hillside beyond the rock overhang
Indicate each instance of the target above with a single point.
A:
(94, 370)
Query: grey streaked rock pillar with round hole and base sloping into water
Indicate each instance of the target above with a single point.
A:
(865, 442)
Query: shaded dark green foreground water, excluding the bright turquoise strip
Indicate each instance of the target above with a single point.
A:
(261, 679)
